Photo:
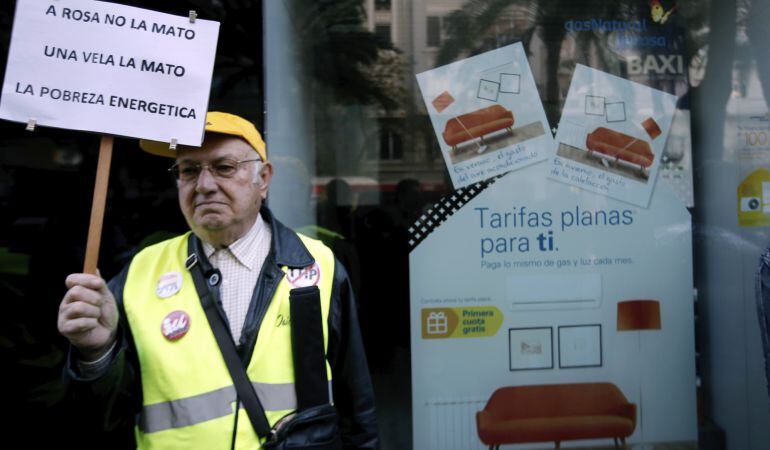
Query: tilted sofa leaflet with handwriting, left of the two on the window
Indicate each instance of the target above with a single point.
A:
(487, 114)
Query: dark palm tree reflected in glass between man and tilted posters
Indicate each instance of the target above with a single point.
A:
(351, 69)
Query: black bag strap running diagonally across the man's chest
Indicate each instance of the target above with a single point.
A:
(205, 278)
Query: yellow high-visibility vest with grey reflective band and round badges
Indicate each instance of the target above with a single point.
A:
(188, 394)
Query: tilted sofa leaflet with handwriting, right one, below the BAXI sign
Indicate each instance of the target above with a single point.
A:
(611, 136)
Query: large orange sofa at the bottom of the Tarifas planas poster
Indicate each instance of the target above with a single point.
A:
(555, 412)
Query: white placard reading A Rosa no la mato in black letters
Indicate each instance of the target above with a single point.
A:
(109, 68)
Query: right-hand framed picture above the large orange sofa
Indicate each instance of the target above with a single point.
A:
(580, 346)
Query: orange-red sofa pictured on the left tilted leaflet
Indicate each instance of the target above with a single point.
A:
(477, 124)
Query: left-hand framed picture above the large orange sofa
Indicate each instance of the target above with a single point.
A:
(530, 348)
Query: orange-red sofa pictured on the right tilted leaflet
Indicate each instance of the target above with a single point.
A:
(621, 147)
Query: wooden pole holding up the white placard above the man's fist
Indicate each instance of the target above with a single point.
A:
(97, 208)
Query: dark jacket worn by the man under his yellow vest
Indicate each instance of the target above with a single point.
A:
(117, 392)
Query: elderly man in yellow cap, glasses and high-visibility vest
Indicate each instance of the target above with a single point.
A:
(142, 346)
